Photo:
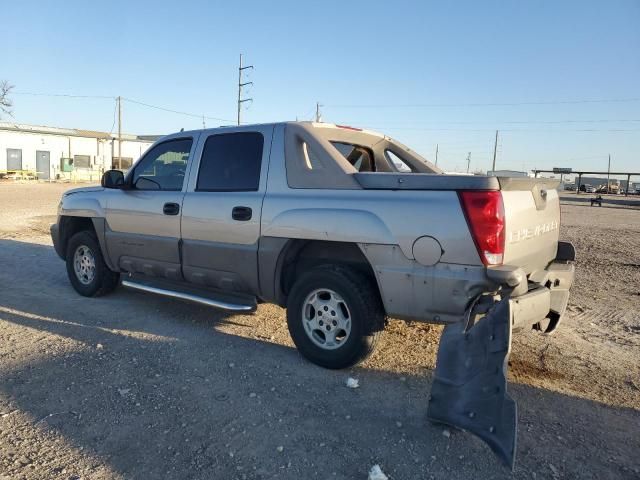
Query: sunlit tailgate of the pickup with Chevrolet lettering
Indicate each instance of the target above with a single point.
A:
(532, 222)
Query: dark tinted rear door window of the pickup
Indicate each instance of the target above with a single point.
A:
(231, 162)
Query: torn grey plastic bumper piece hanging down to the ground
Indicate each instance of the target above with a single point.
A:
(469, 389)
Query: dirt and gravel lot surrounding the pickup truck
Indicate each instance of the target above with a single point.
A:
(136, 386)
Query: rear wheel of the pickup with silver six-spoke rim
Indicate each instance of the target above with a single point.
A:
(350, 333)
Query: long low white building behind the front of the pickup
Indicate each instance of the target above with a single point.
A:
(58, 153)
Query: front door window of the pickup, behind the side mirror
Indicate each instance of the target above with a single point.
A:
(164, 166)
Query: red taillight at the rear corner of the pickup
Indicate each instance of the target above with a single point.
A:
(484, 211)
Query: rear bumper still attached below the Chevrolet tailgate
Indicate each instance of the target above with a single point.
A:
(541, 299)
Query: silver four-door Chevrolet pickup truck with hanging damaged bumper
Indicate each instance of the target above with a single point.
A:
(343, 227)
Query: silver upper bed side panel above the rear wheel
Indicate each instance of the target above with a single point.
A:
(376, 216)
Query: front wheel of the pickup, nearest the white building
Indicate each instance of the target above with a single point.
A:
(90, 278)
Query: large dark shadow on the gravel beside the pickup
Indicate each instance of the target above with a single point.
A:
(152, 389)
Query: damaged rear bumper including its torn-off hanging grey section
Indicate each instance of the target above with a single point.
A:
(469, 389)
